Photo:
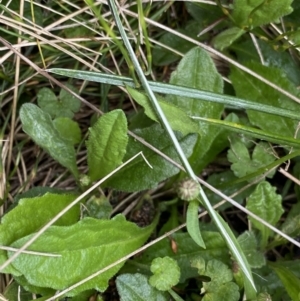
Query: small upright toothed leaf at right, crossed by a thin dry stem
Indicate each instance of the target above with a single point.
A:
(265, 203)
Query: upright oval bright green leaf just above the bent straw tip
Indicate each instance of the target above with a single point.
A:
(106, 144)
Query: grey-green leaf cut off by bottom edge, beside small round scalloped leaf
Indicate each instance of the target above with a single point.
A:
(135, 287)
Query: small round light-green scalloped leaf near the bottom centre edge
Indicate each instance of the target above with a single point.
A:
(166, 273)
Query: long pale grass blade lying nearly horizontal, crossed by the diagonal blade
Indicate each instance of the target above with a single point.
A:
(175, 90)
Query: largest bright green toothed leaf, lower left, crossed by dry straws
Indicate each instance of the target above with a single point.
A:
(85, 248)
